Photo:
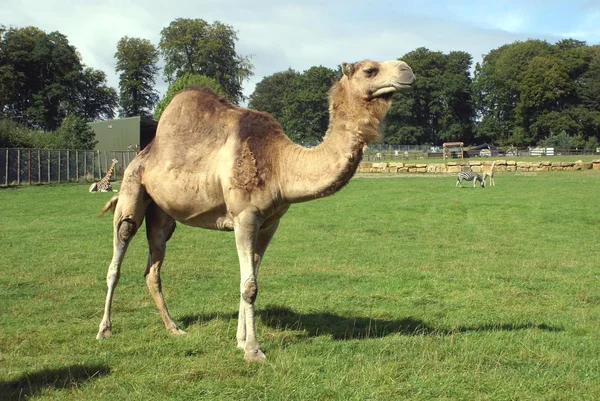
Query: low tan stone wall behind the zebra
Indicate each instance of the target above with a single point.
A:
(476, 166)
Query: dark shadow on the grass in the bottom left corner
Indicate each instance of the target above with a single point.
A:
(29, 384)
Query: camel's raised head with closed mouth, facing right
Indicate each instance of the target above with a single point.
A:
(377, 80)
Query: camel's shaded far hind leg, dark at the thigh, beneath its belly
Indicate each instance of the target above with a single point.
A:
(159, 228)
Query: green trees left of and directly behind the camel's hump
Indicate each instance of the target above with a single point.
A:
(47, 94)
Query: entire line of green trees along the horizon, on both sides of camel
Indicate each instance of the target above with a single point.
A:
(521, 94)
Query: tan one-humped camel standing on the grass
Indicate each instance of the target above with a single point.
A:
(219, 166)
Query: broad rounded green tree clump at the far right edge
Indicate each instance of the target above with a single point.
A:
(528, 91)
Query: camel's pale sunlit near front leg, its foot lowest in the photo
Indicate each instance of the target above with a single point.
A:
(246, 231)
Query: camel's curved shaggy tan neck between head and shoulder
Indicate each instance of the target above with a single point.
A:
(314, 173)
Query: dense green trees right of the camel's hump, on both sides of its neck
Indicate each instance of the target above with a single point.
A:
(521, 94)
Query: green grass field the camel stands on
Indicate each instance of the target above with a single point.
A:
(393, 289)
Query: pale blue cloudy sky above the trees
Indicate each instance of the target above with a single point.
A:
(279, 34)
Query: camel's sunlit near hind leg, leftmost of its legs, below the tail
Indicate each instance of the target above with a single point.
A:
(129, 214)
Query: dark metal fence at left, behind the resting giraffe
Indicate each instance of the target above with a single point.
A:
(39, 166)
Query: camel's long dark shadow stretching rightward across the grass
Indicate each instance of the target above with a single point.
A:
(355, 328)
